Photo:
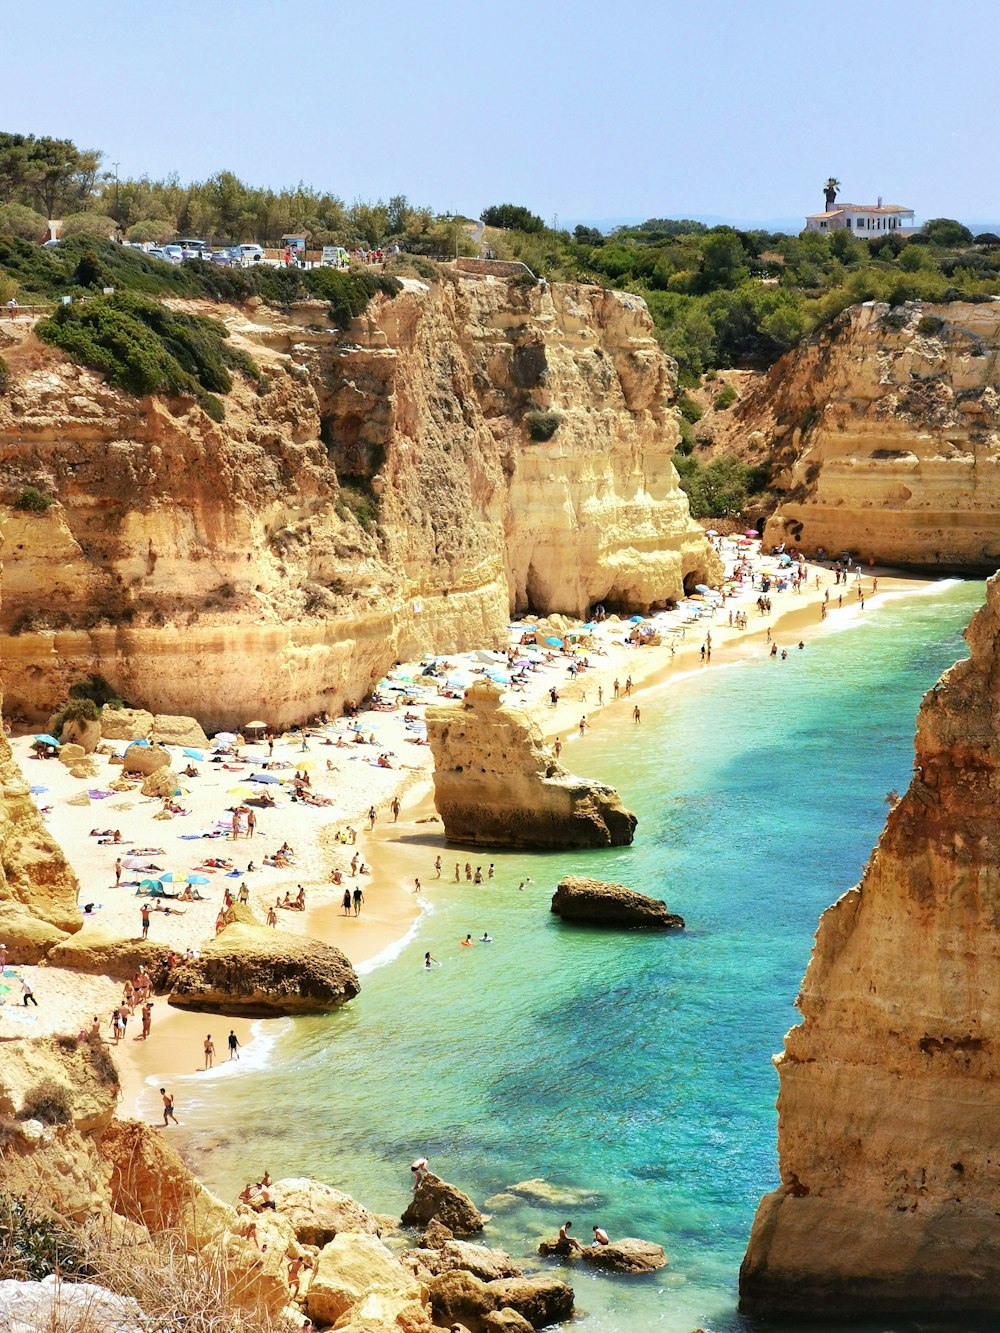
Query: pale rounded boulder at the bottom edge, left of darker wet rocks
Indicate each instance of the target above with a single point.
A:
(357, 1271)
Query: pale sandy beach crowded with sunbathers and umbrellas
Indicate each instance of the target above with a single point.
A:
(347, 775)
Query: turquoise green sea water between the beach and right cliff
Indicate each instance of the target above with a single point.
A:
(634, 1068)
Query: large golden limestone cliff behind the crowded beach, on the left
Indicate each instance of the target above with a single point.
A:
(377, 497)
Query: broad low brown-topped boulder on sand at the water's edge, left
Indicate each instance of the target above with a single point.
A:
(250, 970)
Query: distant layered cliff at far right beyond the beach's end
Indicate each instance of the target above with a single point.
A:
(883, 437)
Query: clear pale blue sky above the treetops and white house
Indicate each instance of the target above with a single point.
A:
(581, 110)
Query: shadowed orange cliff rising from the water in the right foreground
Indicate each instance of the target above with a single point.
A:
(889, 1104)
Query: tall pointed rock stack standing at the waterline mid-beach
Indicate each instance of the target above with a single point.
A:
(498, 784)
